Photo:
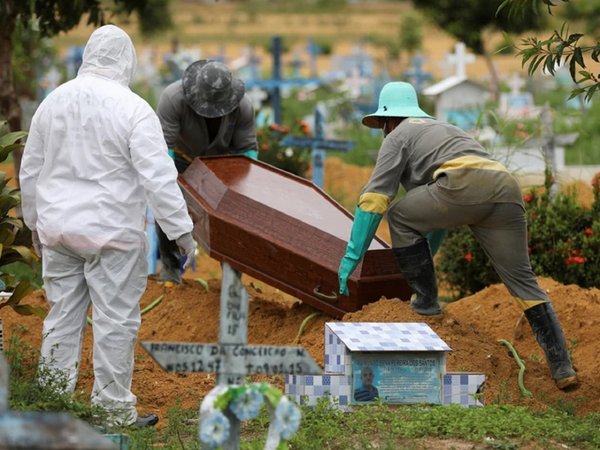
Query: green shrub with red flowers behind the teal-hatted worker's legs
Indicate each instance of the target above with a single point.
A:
(564, 243)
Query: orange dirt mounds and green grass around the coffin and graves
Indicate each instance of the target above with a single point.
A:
(471, 326)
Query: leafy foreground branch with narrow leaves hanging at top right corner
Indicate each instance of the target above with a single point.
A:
(561, 48)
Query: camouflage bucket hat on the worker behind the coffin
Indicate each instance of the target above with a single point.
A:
(210, 89)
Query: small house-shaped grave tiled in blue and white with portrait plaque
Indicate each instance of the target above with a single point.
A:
(395, 363)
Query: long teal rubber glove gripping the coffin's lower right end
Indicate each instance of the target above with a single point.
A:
(363, 229)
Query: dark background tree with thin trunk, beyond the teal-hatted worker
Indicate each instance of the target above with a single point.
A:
(469, 20)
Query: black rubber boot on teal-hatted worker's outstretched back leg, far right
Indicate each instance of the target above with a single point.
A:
(549, 335)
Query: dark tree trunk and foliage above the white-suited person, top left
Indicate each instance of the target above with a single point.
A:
(52, 17)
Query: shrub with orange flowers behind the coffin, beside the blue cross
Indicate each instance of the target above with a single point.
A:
(291, 159)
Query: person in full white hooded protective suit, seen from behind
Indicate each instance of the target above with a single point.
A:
(94, 160)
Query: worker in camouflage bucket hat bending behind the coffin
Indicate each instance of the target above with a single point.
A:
(206, 113)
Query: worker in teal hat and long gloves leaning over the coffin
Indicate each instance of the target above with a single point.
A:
(450, 181)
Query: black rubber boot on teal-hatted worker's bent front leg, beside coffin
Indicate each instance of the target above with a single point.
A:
(416, 264)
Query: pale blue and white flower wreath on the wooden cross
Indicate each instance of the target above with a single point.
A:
(225, 404)
